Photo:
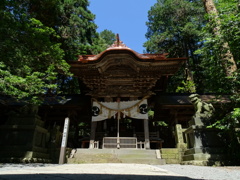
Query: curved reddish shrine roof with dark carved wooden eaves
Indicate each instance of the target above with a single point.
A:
(121, 72)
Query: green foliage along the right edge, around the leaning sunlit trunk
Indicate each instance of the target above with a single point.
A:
(215, 79)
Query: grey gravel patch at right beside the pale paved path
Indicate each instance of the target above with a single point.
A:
(205, 172)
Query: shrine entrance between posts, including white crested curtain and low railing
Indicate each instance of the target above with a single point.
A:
(117, 119)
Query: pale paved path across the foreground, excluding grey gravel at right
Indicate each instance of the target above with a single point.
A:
(85, 172)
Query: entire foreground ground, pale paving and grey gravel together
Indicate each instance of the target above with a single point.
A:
(116, 171)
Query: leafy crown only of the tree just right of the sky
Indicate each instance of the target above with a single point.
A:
(173, 25)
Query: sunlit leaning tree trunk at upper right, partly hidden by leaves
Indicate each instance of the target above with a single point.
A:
(227, 58)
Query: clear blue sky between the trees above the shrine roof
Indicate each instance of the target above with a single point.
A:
(126, 17)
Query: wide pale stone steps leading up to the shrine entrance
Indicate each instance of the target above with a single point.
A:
(138, 156)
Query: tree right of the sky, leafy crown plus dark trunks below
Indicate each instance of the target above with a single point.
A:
(174, 26)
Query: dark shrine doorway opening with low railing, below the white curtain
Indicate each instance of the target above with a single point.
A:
(131, 133)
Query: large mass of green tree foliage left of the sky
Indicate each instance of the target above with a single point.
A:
(36, 37)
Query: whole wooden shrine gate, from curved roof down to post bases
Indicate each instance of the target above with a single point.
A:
(120, 81)
